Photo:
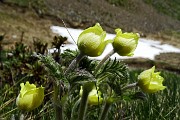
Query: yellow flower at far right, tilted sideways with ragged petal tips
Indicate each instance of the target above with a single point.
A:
(150, 81)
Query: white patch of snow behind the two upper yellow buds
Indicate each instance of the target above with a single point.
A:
(146, 48)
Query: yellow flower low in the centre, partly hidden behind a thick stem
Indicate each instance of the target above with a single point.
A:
(93, 96)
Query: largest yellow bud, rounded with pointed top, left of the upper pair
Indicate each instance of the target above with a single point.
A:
(91, 41)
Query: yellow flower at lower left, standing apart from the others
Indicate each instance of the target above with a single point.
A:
(30, 97)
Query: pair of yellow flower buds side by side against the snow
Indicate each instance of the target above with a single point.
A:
(92, 42)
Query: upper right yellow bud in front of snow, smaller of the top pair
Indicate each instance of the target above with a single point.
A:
(125, 43)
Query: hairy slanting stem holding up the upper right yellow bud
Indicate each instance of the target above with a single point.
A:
(103, 60)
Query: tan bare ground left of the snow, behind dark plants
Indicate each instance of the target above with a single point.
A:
(15, 21)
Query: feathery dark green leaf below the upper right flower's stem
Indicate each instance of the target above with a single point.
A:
(115, 74)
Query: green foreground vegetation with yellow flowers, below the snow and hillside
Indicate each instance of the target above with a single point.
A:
(36, 84)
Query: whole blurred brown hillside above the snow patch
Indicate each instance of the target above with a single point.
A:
(151, 18)
